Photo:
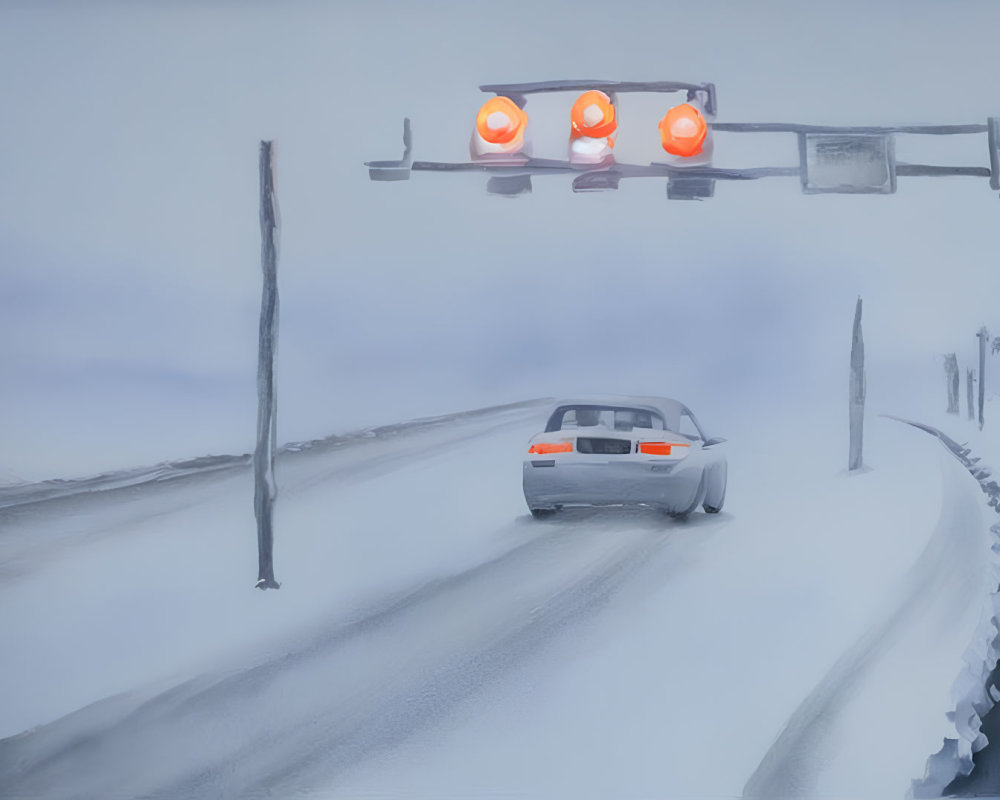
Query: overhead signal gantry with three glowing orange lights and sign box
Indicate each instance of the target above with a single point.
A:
(834, 159)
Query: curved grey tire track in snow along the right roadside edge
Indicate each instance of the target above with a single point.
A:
(791, 768)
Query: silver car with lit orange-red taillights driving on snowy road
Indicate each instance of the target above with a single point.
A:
(599, 451)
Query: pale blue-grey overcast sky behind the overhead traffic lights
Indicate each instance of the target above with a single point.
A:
(130, 241)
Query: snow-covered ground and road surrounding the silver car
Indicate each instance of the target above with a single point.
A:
(431, 640)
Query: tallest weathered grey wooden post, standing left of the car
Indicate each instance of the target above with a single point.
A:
(265, 488)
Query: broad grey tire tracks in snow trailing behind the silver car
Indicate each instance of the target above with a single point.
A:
(347, 695)
